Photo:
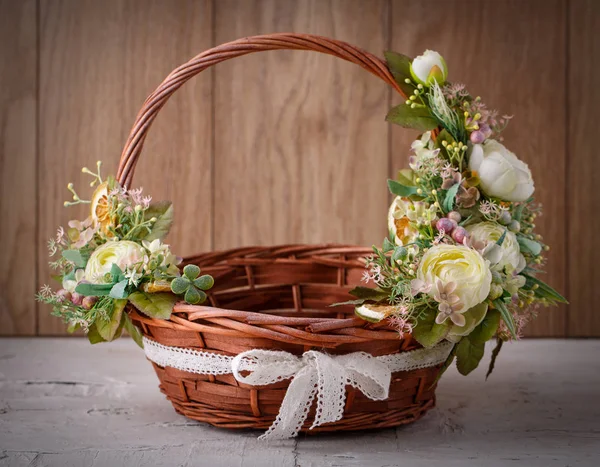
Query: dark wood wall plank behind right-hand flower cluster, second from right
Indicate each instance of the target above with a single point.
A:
(512, 53)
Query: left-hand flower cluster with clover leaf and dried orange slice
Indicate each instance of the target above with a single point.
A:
(115, 256)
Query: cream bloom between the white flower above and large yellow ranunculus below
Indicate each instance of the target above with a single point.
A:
(509, 252)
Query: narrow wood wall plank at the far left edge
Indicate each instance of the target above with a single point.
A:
(18, 88)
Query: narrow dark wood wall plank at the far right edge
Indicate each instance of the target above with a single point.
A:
(583, 196)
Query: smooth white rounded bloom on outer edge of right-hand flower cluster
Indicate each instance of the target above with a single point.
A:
(502, 174)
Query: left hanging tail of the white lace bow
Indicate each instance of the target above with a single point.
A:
(295, 406)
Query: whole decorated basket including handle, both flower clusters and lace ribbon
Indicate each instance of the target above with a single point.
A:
(459, 266)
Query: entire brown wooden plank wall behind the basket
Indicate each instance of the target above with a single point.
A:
(284, 146)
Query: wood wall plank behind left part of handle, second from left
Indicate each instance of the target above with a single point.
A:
(99, 60)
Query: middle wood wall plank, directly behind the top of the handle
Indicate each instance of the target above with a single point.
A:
(301, 142)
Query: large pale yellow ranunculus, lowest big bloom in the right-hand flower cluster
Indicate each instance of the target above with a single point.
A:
(460, 265)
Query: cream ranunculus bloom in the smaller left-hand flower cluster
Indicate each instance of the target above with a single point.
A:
(122, 253)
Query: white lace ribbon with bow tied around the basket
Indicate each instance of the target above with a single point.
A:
(315, 374)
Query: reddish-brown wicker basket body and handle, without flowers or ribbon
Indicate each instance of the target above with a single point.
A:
(274, 297)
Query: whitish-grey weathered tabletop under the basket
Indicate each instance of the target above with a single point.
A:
(66, 403)
